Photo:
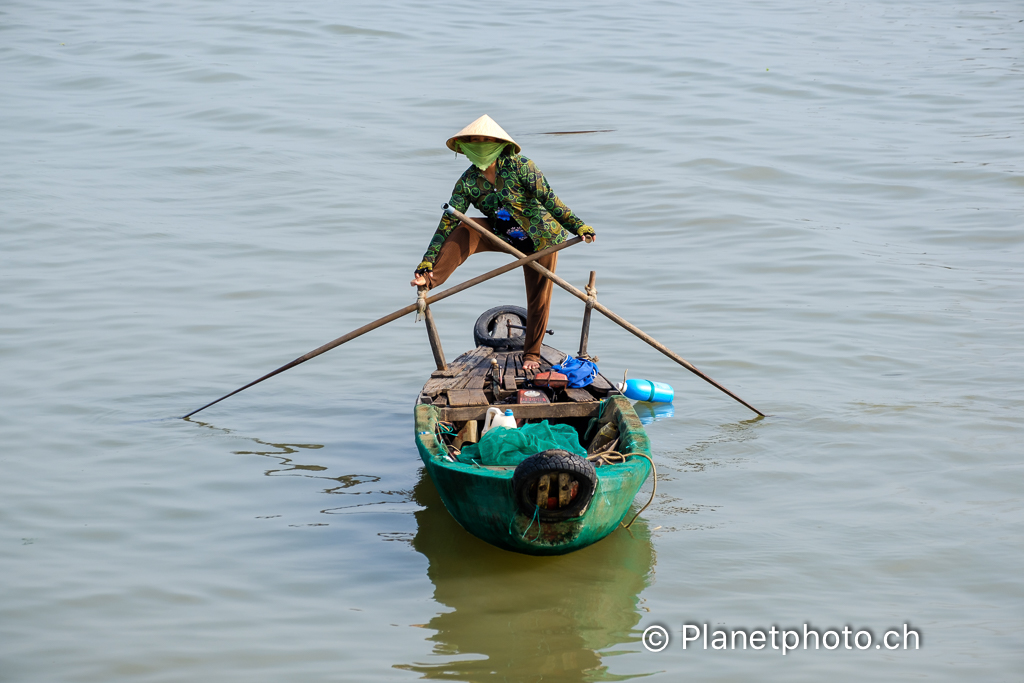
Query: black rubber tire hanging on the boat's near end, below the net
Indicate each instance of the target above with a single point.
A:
(553, 461)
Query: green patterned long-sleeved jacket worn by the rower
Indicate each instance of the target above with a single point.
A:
(523, 191)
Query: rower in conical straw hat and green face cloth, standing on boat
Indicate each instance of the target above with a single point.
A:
(520, 208)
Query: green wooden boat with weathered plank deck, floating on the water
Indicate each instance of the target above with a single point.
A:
(508, 506)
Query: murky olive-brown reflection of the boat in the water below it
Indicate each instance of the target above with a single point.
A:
(521, 618)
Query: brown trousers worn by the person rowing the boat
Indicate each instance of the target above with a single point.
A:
(463, 242)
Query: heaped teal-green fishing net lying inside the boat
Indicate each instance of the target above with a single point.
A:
(504, 447)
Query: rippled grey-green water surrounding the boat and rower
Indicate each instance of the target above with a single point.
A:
(819, 204)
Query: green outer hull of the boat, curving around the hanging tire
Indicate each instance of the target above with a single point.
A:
(482, 499)
